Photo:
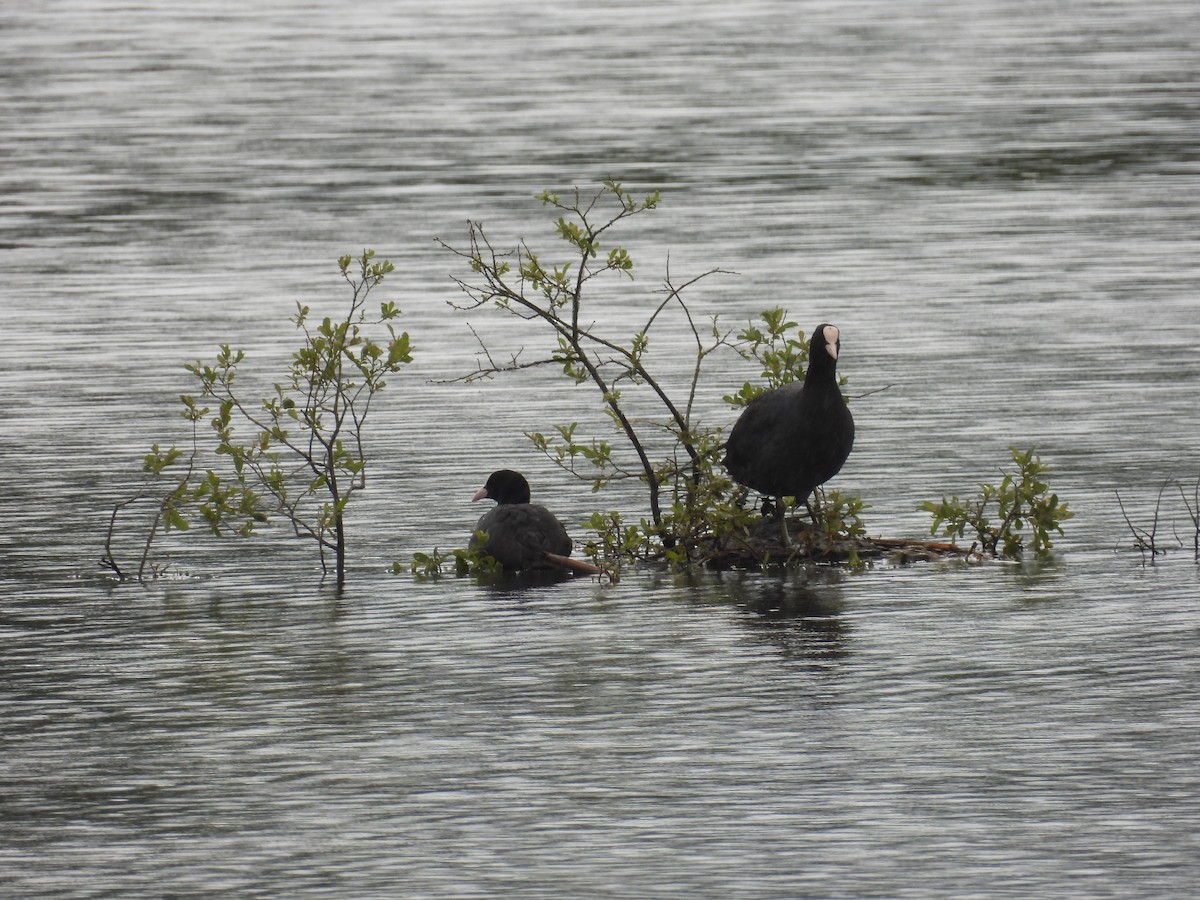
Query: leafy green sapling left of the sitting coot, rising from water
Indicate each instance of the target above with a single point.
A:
(297, 453)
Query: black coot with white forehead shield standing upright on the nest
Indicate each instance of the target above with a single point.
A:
(795, 439)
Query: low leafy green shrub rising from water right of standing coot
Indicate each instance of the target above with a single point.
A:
(1022, 502)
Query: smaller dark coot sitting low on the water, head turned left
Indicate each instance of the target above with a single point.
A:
(520, 535)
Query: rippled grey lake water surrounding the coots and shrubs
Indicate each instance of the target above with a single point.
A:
(998, 205)
